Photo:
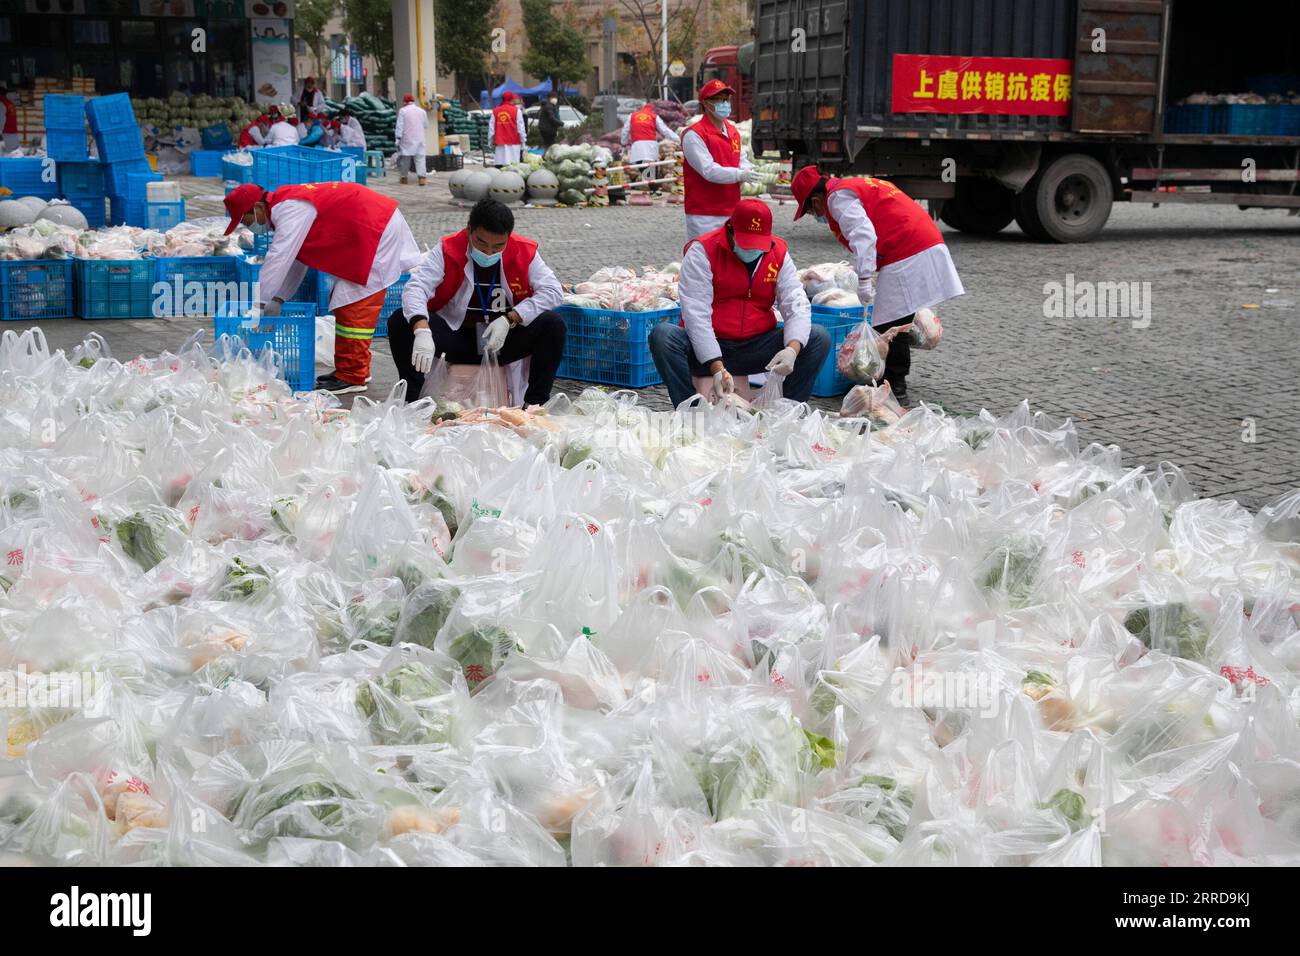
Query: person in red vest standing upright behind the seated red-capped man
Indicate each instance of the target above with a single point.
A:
(716, 165)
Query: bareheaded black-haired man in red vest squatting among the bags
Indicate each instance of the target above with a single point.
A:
(484, 275)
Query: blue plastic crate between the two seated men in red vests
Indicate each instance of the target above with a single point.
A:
(612, 348)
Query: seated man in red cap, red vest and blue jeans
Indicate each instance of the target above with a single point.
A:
(731, 279)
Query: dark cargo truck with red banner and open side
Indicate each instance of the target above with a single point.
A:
(1045, 113)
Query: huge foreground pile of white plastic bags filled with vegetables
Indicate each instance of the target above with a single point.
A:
(239, 628)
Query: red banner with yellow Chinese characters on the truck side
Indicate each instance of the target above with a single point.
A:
(1017, 85)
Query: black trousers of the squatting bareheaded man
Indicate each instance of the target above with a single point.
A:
(543, 340)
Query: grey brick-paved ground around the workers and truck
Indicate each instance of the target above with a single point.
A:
(1219, 364)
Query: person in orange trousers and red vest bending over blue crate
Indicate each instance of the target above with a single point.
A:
(345, 231)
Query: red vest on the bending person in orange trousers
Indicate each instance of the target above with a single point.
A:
(350, 219)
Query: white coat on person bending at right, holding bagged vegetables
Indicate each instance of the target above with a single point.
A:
(920, 282)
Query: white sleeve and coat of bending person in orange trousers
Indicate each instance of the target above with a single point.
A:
(283, 272)
